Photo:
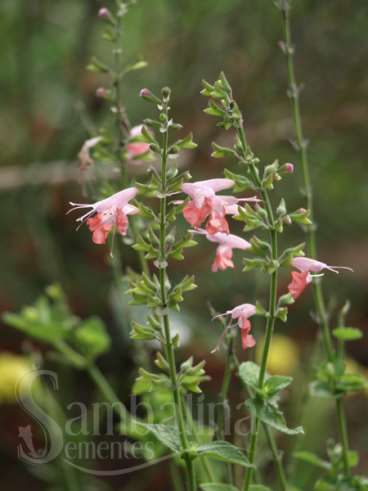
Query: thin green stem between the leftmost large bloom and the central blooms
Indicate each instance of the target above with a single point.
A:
(169, 348)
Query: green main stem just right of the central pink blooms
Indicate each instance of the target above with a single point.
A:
(271, 316)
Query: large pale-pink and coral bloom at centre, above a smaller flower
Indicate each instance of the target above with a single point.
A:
(206, 204)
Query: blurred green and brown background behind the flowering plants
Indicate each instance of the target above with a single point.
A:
(48, 107)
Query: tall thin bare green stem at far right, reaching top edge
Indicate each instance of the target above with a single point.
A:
(311, 230)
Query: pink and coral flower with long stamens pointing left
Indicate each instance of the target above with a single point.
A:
(107, 214)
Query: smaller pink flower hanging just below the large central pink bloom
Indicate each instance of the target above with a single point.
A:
(224, 252)
